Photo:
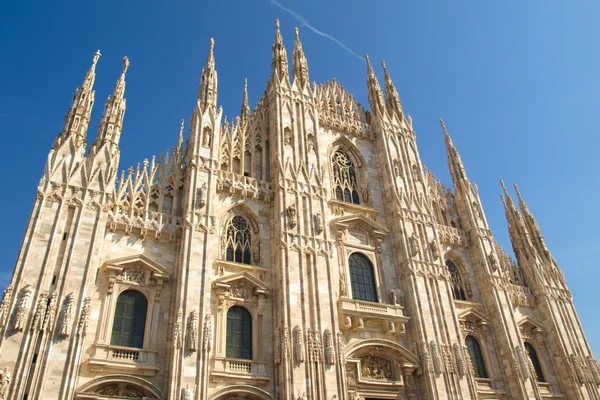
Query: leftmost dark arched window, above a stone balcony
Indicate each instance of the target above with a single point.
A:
(130, 320)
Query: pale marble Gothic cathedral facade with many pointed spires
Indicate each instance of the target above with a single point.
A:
(298, 251)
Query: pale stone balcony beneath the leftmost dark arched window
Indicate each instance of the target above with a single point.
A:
(119, 358)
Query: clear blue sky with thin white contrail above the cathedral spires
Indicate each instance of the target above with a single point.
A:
(515, 81)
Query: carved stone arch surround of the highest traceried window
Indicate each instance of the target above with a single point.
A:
(354, 156)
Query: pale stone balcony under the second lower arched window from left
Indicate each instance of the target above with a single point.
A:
(234, 369)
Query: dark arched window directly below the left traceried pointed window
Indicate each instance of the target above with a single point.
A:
(239, 333)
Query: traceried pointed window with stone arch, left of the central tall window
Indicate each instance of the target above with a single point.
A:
(230, 225)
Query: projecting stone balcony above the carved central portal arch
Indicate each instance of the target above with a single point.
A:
(376, 317)
